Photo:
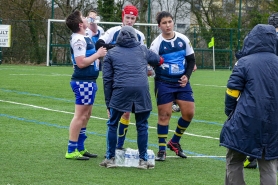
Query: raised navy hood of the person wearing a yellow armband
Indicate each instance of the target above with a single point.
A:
(262, 38)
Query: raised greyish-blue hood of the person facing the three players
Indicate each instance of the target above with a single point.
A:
(127, 37)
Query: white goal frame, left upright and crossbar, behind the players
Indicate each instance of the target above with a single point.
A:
(63, 21)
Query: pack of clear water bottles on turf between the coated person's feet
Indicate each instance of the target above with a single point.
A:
(130, 157)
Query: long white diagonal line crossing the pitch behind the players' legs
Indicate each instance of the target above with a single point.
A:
(53, 110)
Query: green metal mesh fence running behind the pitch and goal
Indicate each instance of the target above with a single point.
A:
(29, 43)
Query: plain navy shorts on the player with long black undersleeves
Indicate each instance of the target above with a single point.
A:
(165, 92)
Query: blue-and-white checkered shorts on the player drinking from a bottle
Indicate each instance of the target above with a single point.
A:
(84, 92)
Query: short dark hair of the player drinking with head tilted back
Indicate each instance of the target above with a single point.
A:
(73, 21)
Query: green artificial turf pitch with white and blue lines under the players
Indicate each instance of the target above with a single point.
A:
(37, 105)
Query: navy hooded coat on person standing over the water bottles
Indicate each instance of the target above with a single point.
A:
(125, 80)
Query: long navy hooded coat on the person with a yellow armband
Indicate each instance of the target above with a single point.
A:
(253, 126)
